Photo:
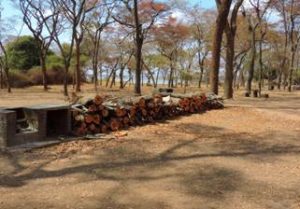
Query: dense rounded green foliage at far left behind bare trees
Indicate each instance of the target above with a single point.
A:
(23, 53)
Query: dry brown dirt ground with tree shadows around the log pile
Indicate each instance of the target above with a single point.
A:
(244, 156)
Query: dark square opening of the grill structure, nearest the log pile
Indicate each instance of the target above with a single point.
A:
(56, 122)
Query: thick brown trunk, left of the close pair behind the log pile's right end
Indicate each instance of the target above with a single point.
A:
(221, 21)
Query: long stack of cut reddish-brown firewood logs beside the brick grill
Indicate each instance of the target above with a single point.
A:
(100, 115)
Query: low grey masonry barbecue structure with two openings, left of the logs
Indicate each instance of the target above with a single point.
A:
(33, 124)
